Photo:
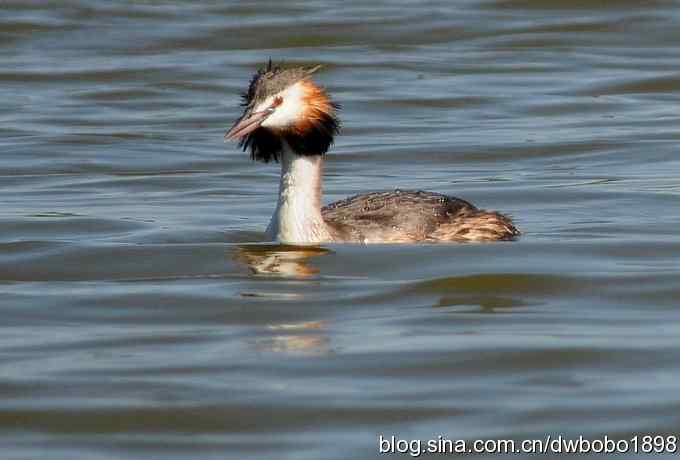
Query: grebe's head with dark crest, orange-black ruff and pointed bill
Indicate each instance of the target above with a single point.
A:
(284, 105)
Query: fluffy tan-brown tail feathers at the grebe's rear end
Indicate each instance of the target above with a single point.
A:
(476, 226)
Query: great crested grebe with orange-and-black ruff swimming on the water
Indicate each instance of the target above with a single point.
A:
(291, 120)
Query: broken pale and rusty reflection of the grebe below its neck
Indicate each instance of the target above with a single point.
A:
(307, 338)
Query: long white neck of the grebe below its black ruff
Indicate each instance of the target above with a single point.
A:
(297, 218)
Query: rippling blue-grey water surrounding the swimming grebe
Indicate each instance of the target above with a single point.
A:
(143, 315)
